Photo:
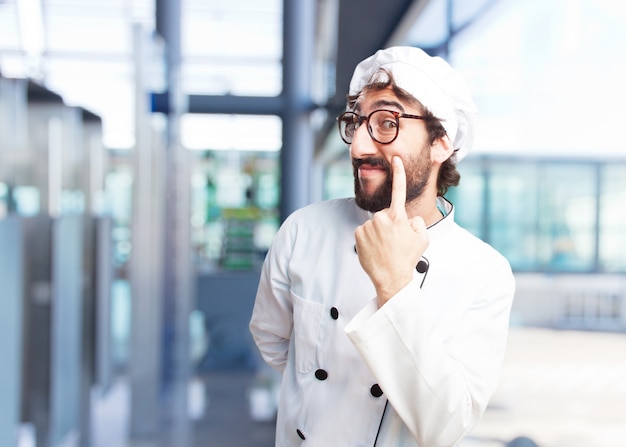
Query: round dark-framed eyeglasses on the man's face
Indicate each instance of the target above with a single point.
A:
(382, 125)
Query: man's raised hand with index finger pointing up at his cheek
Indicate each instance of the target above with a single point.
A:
(390, 244)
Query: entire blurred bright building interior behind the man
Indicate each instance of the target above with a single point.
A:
(150, 149)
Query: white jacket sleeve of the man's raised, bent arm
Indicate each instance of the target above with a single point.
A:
(438, 383)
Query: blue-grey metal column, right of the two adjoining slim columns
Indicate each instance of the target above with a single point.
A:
(177, 267)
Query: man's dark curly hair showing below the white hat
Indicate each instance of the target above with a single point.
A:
(448, 175)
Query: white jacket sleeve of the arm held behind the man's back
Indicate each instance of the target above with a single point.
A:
(272, 316)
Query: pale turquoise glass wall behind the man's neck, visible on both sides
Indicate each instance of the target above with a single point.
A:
(544, 215)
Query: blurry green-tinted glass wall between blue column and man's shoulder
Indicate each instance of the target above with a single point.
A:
(235, 215)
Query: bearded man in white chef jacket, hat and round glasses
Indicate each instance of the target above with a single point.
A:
(387, 320)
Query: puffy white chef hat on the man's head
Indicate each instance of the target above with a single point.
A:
(433, 82)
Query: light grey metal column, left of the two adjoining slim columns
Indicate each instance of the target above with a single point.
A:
(146, 327)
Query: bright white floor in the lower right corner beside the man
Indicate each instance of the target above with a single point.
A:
(560, 389)
